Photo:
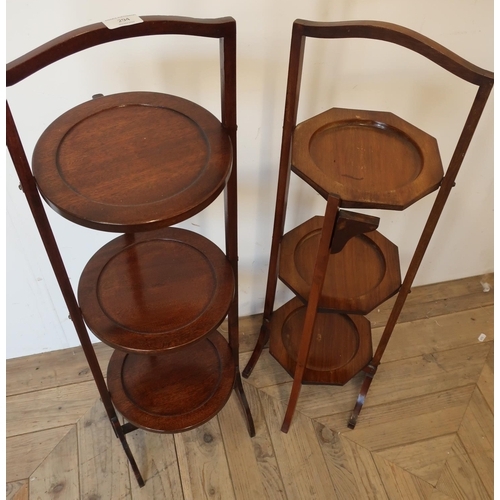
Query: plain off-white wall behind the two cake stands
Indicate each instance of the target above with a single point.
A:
(335, 74)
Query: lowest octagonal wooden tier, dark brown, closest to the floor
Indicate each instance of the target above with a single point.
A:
(341, 344)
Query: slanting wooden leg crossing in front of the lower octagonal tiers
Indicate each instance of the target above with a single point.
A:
(312, 306)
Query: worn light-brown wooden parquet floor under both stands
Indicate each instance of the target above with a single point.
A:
(426, 431)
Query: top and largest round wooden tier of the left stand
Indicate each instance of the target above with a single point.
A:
(133, 161)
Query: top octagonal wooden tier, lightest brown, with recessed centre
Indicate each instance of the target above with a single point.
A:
(369, 159)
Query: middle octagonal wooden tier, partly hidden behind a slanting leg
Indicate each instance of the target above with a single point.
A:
(365, 273)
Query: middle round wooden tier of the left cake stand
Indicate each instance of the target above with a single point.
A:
(156, 291)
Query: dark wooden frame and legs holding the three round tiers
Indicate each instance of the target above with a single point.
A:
(83, 38)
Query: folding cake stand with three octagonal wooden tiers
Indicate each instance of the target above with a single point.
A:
(338, 265)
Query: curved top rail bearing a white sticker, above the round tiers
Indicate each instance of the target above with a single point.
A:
(97, 34)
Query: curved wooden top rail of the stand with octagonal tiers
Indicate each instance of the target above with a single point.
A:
(399, 35)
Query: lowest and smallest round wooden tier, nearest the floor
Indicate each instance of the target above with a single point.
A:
(176, 391)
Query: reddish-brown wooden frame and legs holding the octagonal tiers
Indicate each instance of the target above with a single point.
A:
(483, 79)
